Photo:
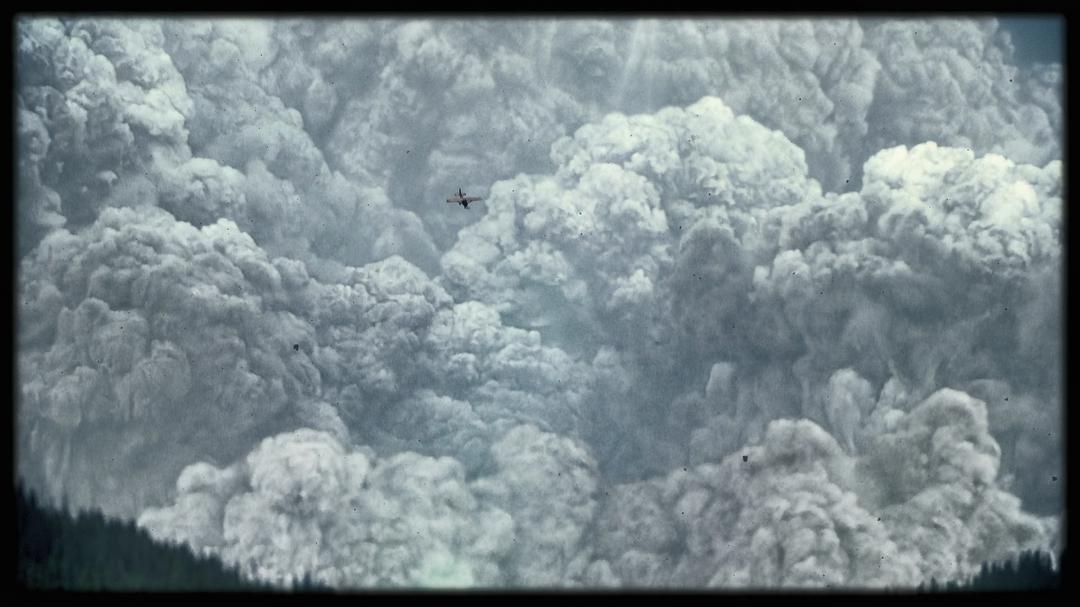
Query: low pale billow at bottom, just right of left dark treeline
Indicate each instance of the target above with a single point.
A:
(302, 505)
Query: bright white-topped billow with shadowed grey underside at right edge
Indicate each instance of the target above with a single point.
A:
(941, 278)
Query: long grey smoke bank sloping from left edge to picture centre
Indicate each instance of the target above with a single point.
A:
(146, 335)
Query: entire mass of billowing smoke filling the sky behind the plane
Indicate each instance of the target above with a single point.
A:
(747, 304)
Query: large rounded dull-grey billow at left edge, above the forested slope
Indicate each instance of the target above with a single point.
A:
(148, 343)
